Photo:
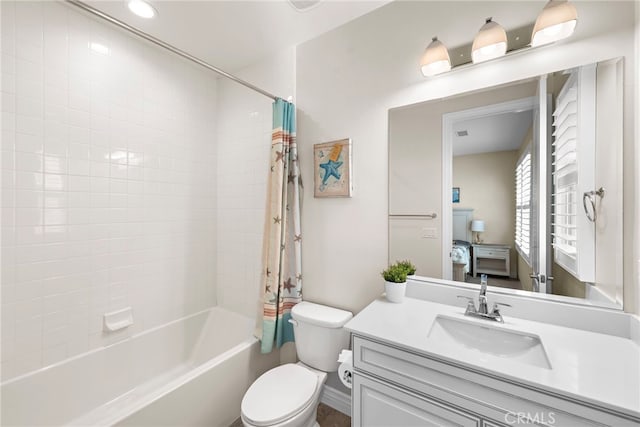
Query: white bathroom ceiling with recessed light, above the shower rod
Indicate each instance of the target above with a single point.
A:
(234, 34)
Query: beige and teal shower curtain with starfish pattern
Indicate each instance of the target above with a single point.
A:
(282, 278)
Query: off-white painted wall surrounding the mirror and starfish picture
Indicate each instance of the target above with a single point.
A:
(350, 77)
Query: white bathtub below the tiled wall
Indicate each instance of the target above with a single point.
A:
(190, 372)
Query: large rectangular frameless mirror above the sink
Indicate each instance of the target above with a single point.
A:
(507, 182)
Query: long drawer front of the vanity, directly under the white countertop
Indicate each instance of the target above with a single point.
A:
(477, 392)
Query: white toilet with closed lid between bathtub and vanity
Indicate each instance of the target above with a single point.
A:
(288, 395)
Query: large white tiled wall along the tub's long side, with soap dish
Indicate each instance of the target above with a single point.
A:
(108, 184)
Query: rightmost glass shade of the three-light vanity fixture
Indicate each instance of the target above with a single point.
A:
(557, 21)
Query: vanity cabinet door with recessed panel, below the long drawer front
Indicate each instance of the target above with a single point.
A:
(377, 404)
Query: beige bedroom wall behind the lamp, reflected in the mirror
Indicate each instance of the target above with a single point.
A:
(487, 185)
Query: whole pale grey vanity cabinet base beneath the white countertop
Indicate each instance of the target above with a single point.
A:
(394, 386)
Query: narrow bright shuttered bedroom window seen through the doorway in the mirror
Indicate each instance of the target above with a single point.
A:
(523, 205)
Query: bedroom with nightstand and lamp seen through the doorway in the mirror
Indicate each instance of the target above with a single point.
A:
(488, 143)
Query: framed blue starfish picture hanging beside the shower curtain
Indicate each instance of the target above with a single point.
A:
(332, 168)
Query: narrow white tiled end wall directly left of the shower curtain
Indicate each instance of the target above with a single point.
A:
(244, 143)
